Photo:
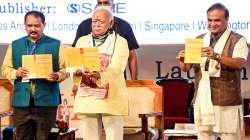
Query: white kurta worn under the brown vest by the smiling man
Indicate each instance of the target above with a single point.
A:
(227, 119)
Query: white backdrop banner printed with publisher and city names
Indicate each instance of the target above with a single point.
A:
(157, 22)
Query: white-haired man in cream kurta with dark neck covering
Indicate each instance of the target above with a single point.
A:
(114, 53)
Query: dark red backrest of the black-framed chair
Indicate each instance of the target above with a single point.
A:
(178, 95)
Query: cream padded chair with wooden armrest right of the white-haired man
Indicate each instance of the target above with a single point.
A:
(145, 120)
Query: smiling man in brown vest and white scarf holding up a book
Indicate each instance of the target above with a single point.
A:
(218, 103)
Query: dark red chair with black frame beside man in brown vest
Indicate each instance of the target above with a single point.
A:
(178, 95)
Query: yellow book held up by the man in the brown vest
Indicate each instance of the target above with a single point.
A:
(193, 51)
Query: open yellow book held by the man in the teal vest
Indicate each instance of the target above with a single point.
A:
(38, 65)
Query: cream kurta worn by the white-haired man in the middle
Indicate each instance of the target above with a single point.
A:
(117, 101)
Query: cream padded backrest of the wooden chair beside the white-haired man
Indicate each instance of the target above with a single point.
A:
(144, 97)
